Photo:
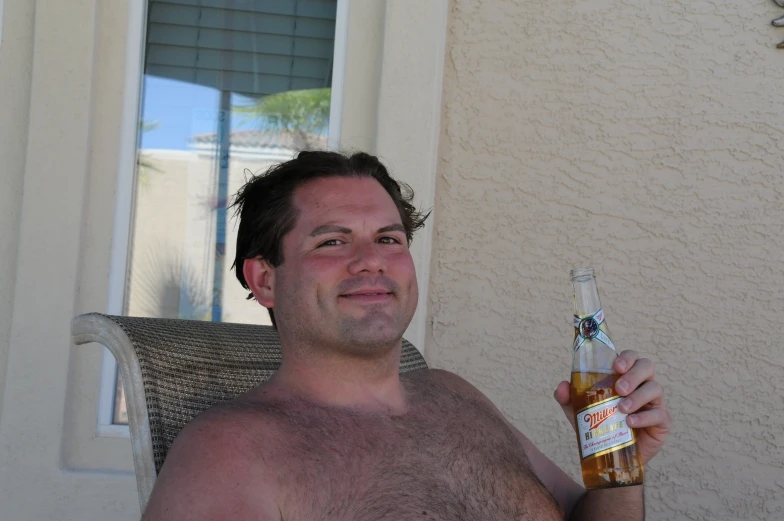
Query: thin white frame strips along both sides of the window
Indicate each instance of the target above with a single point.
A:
(126, 177)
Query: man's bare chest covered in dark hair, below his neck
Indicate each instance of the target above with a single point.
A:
(448, 462)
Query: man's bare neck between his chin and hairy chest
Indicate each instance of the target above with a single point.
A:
(339, 380)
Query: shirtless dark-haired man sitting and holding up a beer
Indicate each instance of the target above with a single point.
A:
(337, 434)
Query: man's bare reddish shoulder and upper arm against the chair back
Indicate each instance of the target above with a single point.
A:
(211, 474)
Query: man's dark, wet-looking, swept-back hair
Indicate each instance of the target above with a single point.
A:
(265, 204)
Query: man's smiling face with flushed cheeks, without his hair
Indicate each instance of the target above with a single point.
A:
(347, 280)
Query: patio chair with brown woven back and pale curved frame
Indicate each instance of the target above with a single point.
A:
(173, 370)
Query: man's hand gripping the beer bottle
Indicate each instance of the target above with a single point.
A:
(644, 402)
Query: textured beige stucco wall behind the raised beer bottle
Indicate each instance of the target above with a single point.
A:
(645, 139)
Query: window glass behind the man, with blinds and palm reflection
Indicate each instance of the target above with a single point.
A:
(230, 87)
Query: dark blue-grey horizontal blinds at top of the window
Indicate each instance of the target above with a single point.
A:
(250, 47)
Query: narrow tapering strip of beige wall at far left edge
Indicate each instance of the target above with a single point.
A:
(16, 50)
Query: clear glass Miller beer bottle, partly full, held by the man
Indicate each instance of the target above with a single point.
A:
(608, 449)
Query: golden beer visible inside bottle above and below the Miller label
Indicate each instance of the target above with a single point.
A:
(619, 468)
